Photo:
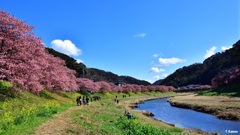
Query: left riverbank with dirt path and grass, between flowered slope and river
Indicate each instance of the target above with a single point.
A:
(107, 117)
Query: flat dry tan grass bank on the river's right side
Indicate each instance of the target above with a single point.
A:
(223, 107)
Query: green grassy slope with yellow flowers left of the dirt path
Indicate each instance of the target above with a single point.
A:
(23, 113)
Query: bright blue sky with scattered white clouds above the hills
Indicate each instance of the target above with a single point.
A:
(145, 39)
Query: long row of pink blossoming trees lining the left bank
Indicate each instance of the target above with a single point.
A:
(24, 62)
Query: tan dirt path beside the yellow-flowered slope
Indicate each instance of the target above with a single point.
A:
(58, 124)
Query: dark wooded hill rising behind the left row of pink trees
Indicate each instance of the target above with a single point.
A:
(94, 73)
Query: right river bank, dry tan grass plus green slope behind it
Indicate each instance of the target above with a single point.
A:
(222, 101)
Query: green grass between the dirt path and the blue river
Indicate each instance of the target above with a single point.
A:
(106, 117)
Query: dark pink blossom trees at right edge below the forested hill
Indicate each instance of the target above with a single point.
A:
(227, 77)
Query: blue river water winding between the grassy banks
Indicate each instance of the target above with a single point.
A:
(186, 118)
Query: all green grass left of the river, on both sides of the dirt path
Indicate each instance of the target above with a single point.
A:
(22, 113)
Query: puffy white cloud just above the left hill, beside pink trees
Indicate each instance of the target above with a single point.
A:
(66, 47)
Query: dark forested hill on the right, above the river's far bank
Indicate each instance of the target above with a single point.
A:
(203, 73)
